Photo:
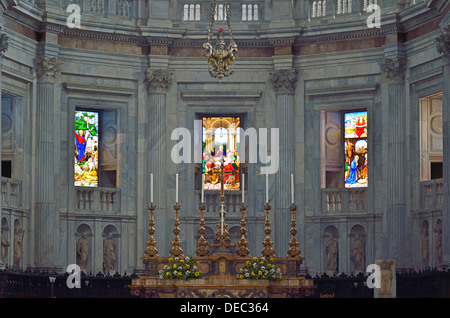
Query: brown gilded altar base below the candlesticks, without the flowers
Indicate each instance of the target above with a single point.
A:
(220, 280)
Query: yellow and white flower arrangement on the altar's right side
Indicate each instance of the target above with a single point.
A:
(260, 268)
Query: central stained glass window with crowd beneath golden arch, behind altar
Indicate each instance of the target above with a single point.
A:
(221, 144)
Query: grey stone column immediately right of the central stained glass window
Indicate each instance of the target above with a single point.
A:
(284, 84)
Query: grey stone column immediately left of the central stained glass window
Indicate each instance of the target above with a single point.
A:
(158, 82)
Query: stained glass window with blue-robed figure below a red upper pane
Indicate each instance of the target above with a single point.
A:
(355, 145)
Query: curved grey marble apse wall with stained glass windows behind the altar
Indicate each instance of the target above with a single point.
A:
(338, 107)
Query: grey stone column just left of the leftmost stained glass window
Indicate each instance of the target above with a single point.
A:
(47, 216)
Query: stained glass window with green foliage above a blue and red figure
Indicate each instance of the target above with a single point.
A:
(86, 148)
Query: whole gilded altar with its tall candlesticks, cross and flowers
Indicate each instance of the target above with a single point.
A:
(222, 269)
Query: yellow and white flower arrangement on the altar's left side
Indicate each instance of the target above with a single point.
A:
(179, 268)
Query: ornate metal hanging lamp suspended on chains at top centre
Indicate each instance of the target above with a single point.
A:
(220, 55)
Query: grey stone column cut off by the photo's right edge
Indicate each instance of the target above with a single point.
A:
(443, 47)
